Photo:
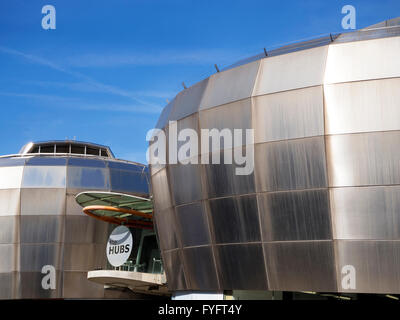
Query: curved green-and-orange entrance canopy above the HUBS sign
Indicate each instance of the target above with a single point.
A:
(117, 208)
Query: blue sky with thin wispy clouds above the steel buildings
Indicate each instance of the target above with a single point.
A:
(106, 71)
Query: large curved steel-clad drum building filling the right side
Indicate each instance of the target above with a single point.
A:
(325, 190)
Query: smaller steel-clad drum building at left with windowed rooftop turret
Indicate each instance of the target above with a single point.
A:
(41, 223)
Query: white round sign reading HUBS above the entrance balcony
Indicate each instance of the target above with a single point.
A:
(119, 246)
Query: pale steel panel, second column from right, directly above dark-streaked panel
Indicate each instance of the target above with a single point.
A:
(288, 115)
